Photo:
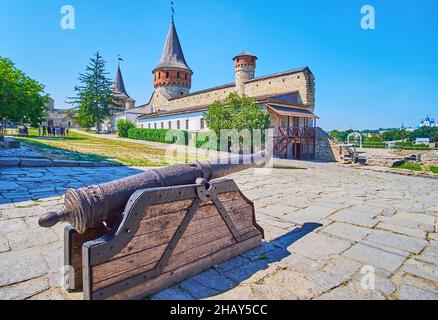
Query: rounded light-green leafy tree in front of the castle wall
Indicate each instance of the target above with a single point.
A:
(236, 112)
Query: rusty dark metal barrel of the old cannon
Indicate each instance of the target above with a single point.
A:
(86, 208)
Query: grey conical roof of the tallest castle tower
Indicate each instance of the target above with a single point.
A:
(173, 56)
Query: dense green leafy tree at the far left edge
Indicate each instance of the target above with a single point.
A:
(22, 98)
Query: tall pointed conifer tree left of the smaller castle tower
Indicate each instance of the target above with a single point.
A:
(94, 99)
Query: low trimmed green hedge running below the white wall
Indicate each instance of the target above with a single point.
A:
(159, 135)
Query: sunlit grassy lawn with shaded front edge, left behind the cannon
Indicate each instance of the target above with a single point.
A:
(83, 147)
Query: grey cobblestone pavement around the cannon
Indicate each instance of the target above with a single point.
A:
(327, 228)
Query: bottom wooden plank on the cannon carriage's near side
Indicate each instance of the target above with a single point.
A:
(165, 280)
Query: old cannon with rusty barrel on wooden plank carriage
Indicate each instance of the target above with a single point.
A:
(133, 237)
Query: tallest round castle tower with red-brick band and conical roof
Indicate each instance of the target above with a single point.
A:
(172, 76)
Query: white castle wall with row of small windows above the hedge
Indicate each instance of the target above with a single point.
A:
(194, 122)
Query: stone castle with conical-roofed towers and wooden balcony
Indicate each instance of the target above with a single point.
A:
(288, 96)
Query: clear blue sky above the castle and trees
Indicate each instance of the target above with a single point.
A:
(364, 78)
